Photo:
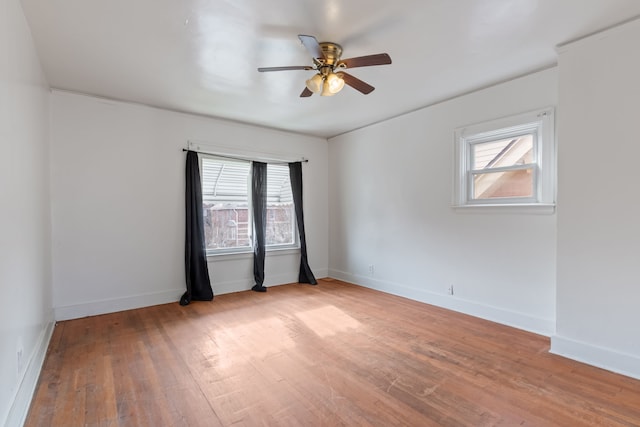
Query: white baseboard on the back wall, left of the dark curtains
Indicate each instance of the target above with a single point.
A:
(113, 305)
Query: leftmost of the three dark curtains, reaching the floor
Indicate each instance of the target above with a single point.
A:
(195, 256)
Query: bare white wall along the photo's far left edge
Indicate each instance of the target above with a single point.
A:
(25, 285)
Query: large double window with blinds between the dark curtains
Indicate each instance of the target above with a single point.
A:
(226, 199)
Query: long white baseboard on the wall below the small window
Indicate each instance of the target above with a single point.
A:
(522, 321)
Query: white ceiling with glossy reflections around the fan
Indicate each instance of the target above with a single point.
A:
(200, 56)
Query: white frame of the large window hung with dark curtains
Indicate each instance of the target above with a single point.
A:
(247, 250)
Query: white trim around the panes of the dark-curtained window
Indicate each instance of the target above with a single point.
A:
(246, 251)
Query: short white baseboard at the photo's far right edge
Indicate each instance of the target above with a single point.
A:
(605, 358)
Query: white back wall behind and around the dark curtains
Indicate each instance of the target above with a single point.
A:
(117, 174)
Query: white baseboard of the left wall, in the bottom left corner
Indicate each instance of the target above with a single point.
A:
(20, 407)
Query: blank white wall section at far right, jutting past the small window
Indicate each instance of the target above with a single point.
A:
(598, 317)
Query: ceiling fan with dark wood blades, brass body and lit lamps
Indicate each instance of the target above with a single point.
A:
(330, 78)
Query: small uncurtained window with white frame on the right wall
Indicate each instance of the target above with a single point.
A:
(507, 162)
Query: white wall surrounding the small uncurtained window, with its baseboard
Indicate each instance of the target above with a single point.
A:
(391, 187)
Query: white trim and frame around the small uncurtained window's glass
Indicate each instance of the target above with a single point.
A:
(542, 124)
